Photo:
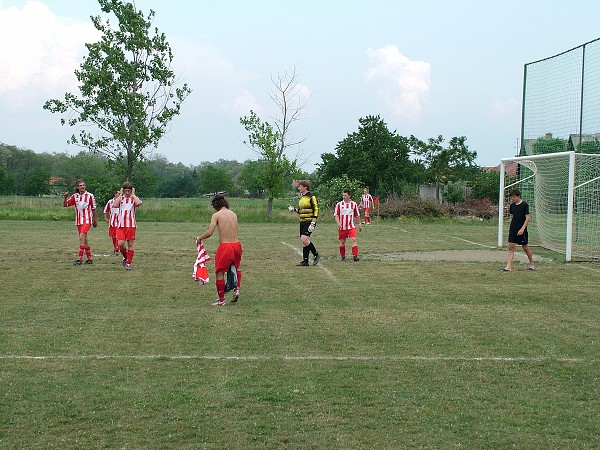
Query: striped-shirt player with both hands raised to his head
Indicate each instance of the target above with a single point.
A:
(127, 202)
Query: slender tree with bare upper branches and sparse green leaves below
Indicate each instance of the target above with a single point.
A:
(270, 142)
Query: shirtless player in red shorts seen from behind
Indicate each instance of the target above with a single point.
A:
(229, 251)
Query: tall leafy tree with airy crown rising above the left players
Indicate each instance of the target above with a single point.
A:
(128, 90)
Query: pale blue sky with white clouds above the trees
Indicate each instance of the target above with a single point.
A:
(426, 67)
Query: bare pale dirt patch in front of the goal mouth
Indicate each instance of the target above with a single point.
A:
(449, 255)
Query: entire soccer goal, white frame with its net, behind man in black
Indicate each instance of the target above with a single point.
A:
(563, 193)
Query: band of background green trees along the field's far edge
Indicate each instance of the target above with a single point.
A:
(375, 157)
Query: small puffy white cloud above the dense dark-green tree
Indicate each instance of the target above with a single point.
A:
(404, 84)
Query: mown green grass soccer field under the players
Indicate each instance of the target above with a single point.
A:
(383, 353)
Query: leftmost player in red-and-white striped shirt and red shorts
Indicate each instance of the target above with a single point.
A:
(85, 217)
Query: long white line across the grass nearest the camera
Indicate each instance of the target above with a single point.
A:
(302, 358)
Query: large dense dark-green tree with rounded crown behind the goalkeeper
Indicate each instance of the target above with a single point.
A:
(374, 155)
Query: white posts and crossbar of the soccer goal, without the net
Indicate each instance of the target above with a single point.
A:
(570, 193)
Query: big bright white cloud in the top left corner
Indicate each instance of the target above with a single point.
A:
(40, 51)
